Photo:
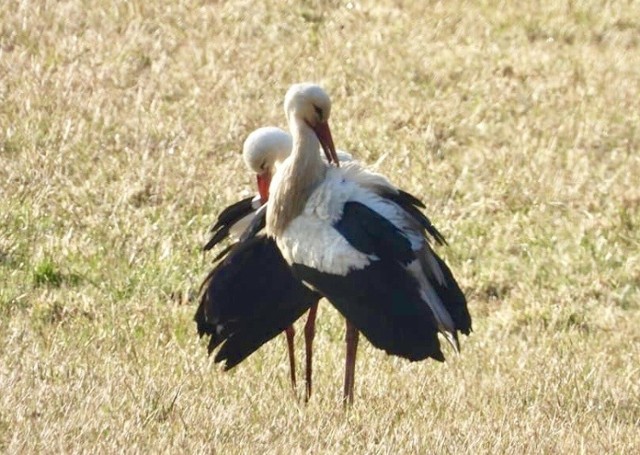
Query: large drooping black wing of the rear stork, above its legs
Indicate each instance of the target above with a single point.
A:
(249, 298)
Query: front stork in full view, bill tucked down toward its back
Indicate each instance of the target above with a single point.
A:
(353, 237)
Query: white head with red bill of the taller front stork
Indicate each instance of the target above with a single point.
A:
(309, 104)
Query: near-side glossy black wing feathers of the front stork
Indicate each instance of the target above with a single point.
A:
(382, 299)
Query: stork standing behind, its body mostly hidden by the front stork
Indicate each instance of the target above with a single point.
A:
(250, 296)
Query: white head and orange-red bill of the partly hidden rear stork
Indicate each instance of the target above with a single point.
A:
(262, 149)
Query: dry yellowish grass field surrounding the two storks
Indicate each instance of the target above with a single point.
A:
(121, 125)
